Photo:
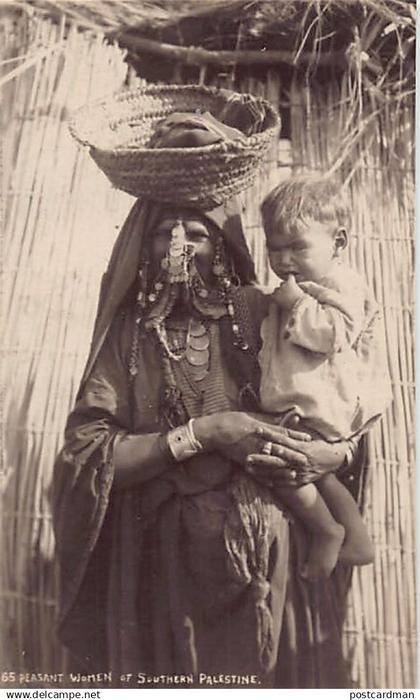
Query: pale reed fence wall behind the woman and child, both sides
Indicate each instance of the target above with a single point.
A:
(61, 218)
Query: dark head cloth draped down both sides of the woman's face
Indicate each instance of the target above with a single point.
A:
(126, 256)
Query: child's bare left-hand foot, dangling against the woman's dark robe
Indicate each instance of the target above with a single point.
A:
(324, 552)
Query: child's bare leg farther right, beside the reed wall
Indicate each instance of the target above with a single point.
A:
(357, 547)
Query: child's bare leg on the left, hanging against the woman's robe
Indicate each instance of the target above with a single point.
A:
(327, 535)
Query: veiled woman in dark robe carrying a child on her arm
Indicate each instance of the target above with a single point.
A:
(176, 557)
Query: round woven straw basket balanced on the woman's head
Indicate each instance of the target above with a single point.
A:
(118, 130)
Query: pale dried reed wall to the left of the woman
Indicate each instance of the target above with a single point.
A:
(60, 223)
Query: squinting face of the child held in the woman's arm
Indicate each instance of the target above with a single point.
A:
(306, 250)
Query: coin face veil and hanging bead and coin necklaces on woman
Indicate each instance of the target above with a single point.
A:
(156, 300)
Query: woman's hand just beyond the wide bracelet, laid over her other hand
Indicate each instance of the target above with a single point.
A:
(237, 435)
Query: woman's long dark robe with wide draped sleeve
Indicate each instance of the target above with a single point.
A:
(145, 577)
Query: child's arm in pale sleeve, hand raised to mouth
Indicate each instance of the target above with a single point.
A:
(320, 319)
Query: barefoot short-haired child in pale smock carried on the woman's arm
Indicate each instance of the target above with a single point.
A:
(321, 355)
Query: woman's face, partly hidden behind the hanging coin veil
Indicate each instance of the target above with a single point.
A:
(197, 234)
